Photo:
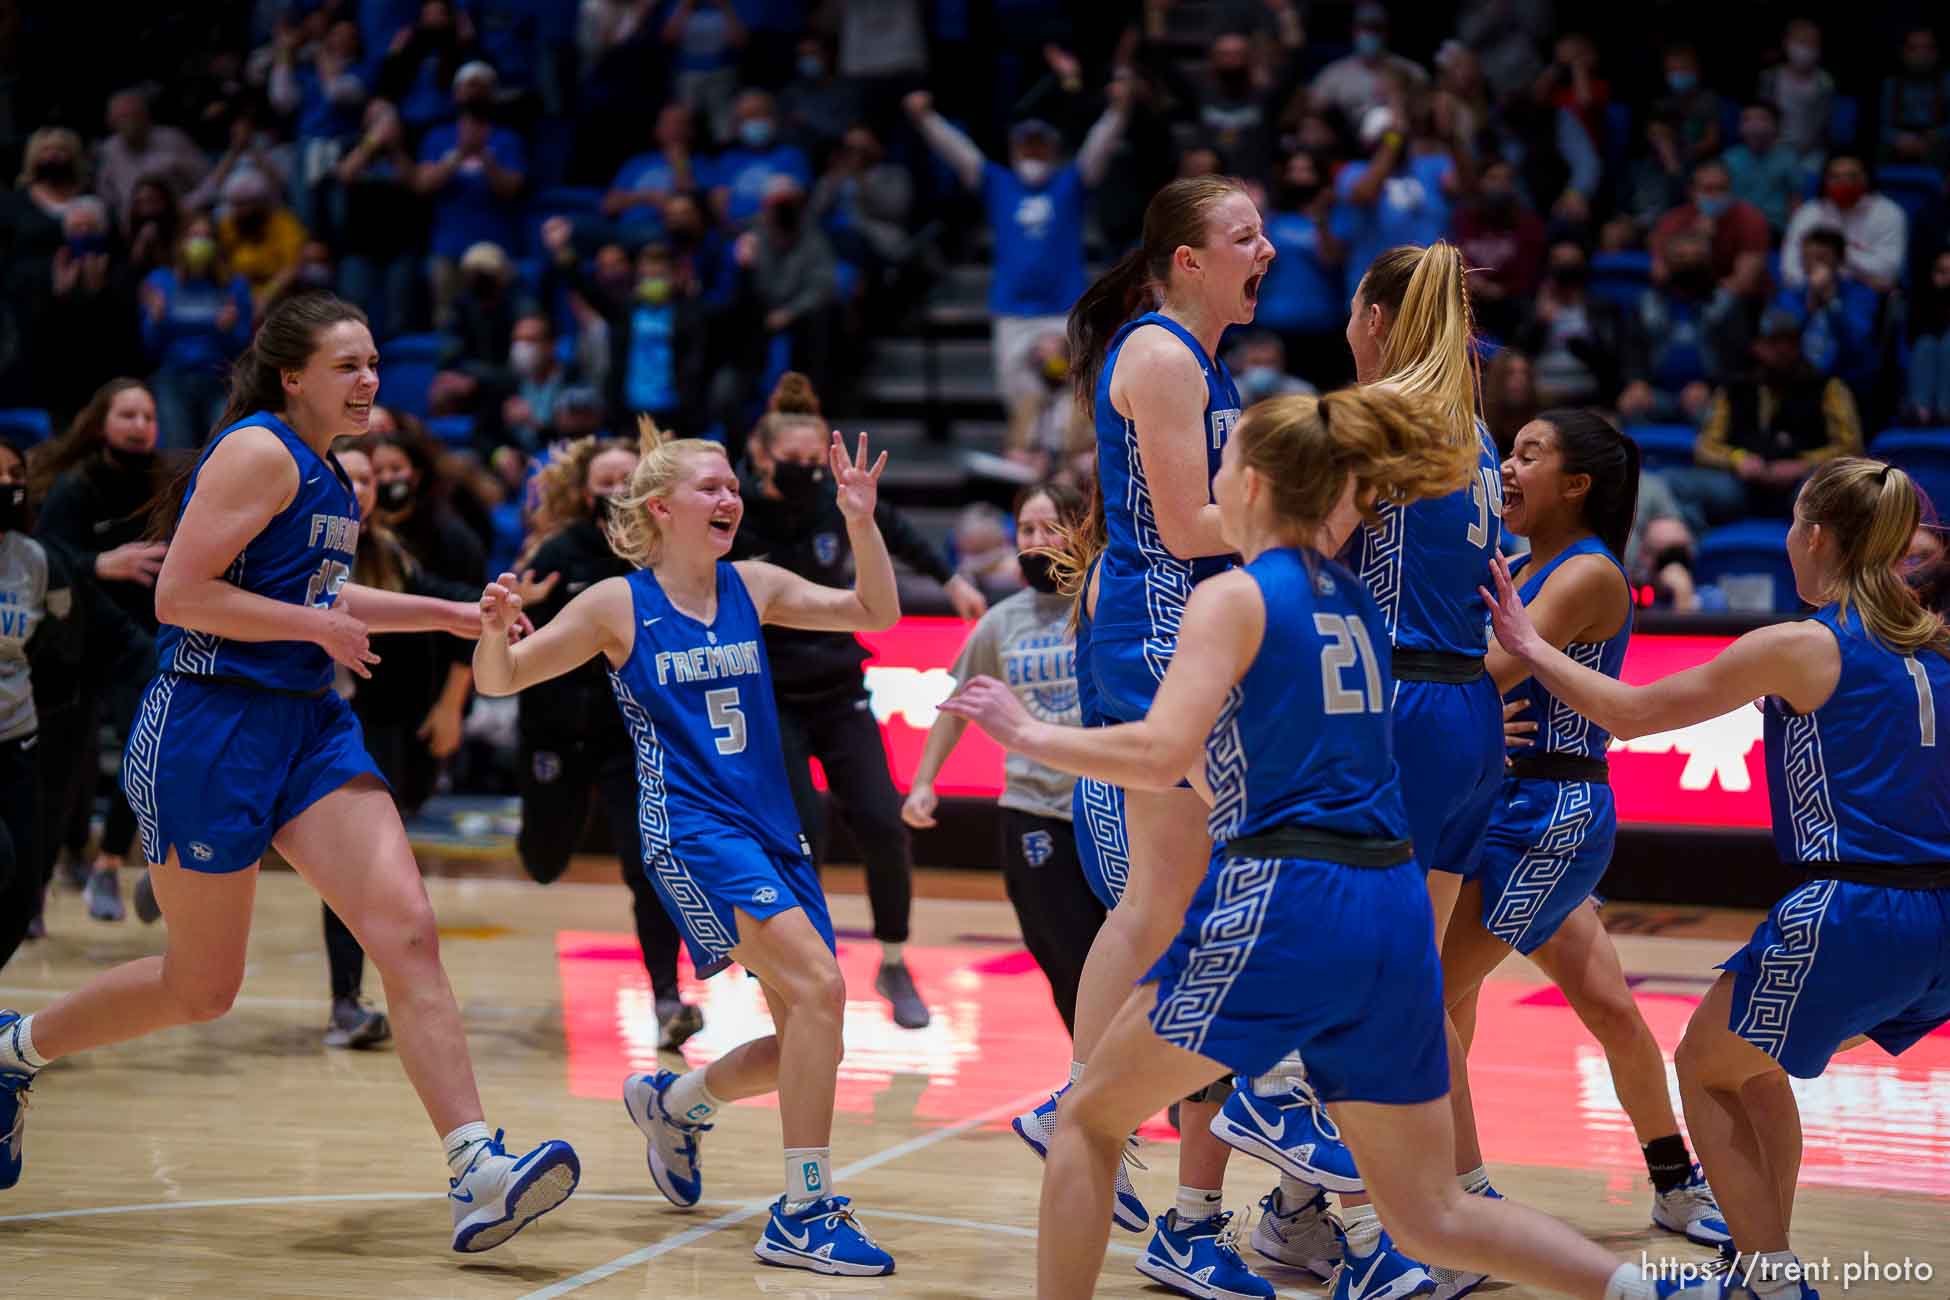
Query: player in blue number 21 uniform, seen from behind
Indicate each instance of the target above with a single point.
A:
(1282, 687)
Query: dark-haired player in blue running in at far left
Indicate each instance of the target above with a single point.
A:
(243, 744)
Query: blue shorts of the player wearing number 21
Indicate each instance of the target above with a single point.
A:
(1333, 962)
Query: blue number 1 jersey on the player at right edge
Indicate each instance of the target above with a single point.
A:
(1865, 779)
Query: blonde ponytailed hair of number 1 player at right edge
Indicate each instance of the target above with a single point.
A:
(1871, 512)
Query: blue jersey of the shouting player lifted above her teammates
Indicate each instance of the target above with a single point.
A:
(1144, 588)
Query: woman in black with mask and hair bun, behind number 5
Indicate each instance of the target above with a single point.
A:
(795, 521)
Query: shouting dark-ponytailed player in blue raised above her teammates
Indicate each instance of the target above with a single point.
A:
(1163, 406)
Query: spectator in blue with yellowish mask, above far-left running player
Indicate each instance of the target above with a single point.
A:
(196, 323)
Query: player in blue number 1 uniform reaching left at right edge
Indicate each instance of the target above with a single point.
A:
(1861, 802)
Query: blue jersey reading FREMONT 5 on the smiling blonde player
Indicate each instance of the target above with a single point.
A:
(699, 707)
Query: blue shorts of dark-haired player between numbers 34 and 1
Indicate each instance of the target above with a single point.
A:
(1543, 855)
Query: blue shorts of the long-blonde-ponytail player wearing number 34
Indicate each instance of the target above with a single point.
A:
(1450, 747)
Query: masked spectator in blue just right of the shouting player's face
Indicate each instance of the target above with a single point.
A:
(1302, 299)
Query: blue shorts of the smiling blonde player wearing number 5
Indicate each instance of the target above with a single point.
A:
(707, 878)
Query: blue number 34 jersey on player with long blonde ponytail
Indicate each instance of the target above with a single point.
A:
(1424, 562)
